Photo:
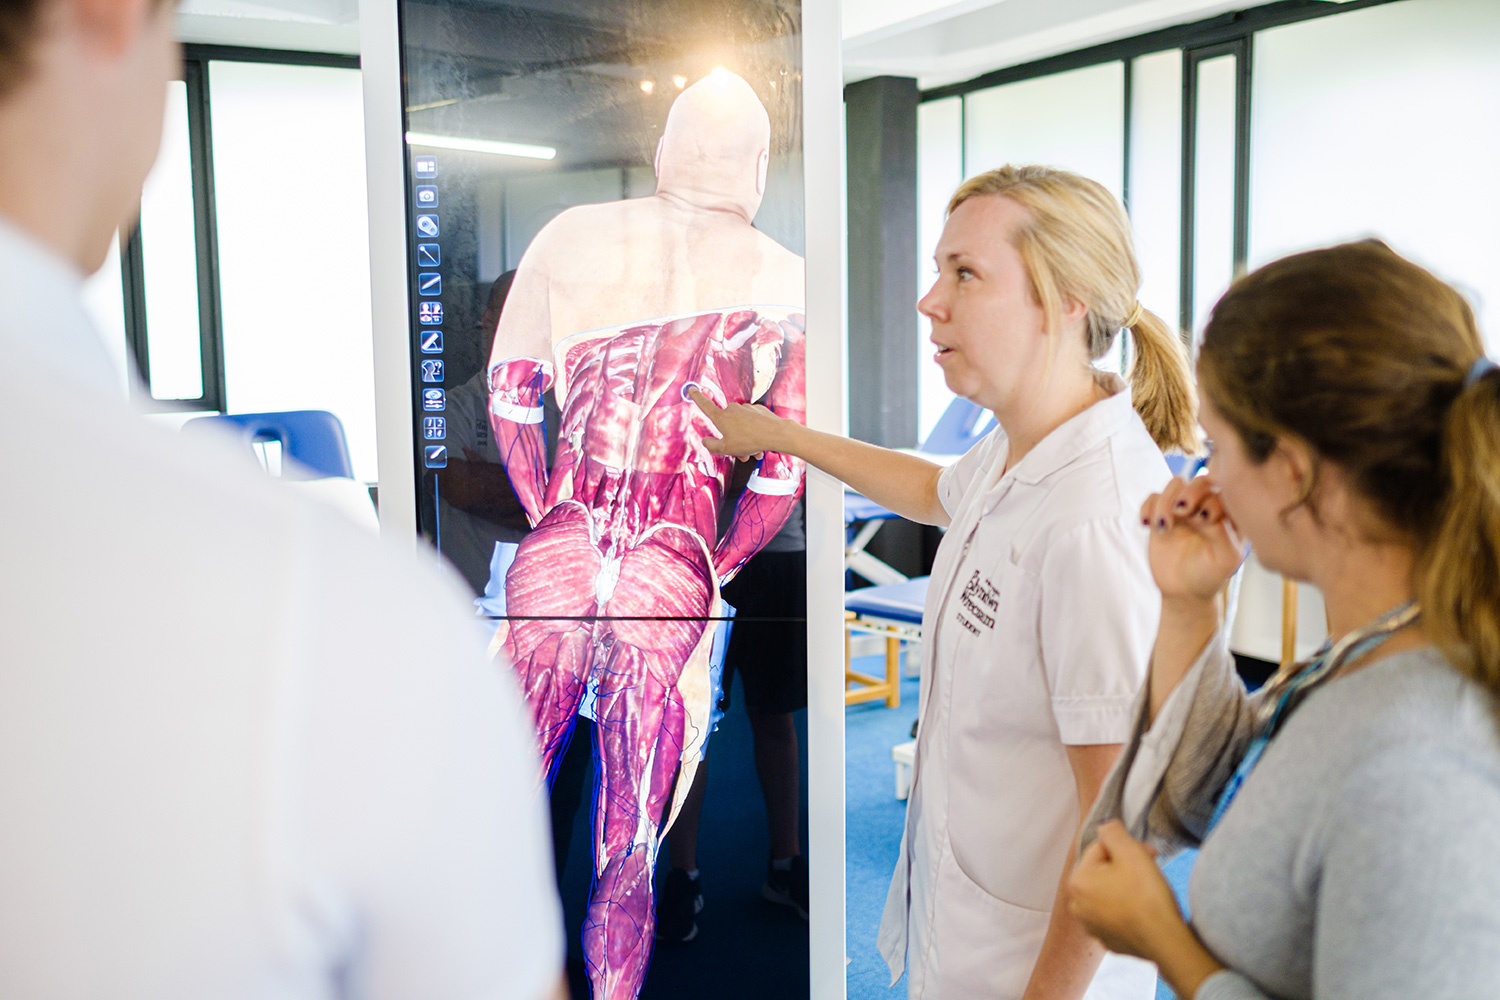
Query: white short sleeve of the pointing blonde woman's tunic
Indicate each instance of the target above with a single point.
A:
(1099, 620)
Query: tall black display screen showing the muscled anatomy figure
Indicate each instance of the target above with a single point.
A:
(605, 211)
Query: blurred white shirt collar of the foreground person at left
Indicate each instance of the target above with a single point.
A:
(43, 320)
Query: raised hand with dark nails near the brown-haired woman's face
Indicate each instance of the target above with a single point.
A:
(1195, 546)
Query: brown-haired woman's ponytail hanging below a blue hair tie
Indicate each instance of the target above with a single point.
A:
(1459, 576)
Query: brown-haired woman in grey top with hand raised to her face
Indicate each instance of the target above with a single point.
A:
(1346, 813)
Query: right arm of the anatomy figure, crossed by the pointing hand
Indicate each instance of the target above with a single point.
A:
(778, 482)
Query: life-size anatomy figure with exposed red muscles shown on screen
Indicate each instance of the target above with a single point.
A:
(622, 308)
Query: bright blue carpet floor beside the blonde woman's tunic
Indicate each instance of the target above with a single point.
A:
(874, 836)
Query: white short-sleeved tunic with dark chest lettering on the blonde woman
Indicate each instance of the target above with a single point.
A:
(1037, 632)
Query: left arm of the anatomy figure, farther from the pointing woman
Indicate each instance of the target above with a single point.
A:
(520, 377)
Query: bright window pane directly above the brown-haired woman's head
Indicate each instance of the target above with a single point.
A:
(1381, 122)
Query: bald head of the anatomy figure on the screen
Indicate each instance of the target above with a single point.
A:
(716, 146)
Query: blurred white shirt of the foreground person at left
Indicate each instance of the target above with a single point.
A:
(245, 750)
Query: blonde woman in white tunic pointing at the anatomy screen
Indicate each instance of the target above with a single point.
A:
(1040, 612)
